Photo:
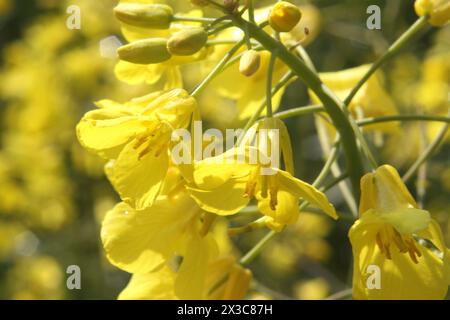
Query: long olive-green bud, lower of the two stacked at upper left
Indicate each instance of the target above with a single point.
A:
(146, 51)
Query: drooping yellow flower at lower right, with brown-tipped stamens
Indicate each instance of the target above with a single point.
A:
(404, 242)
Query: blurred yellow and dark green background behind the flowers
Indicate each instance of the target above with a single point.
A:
(53, 194)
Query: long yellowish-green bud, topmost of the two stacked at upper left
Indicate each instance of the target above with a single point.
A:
(156, 16)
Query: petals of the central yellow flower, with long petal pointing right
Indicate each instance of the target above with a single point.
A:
(224, 185)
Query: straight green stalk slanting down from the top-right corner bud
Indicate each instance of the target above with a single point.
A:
(395, 48)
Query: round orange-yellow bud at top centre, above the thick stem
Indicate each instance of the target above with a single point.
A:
(284, 16)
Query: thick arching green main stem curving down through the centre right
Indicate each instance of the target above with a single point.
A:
(330, 102)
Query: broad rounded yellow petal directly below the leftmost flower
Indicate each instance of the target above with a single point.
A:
(140, 241)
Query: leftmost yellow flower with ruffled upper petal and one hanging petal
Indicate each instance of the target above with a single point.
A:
(136, 136)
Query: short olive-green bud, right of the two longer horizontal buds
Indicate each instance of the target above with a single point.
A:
(187, 42)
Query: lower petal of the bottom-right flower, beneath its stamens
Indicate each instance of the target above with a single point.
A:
(400, 277)
